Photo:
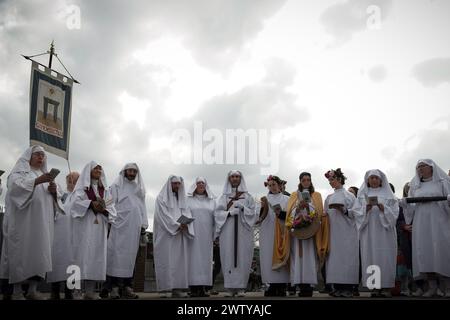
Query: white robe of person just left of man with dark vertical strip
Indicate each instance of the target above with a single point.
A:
(201, 246)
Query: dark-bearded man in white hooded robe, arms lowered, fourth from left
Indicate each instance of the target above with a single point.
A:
(128, 192)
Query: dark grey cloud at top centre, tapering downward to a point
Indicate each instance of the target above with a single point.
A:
(218, 30)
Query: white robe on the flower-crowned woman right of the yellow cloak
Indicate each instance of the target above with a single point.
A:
(342, 265)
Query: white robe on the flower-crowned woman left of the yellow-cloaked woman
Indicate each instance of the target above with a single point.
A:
(266, 240)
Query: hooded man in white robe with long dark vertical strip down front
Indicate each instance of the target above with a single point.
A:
(234, 218)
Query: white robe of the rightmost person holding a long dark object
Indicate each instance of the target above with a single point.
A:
(431, 231)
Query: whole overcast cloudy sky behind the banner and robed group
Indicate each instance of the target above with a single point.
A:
(356, 84)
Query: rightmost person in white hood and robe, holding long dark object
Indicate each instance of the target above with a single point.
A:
(431, 225)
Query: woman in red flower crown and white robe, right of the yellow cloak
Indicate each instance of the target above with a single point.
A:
(342, 266)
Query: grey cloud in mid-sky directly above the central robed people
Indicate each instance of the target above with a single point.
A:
(266, 104)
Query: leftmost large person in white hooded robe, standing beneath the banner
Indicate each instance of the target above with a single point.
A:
(32, 201)
